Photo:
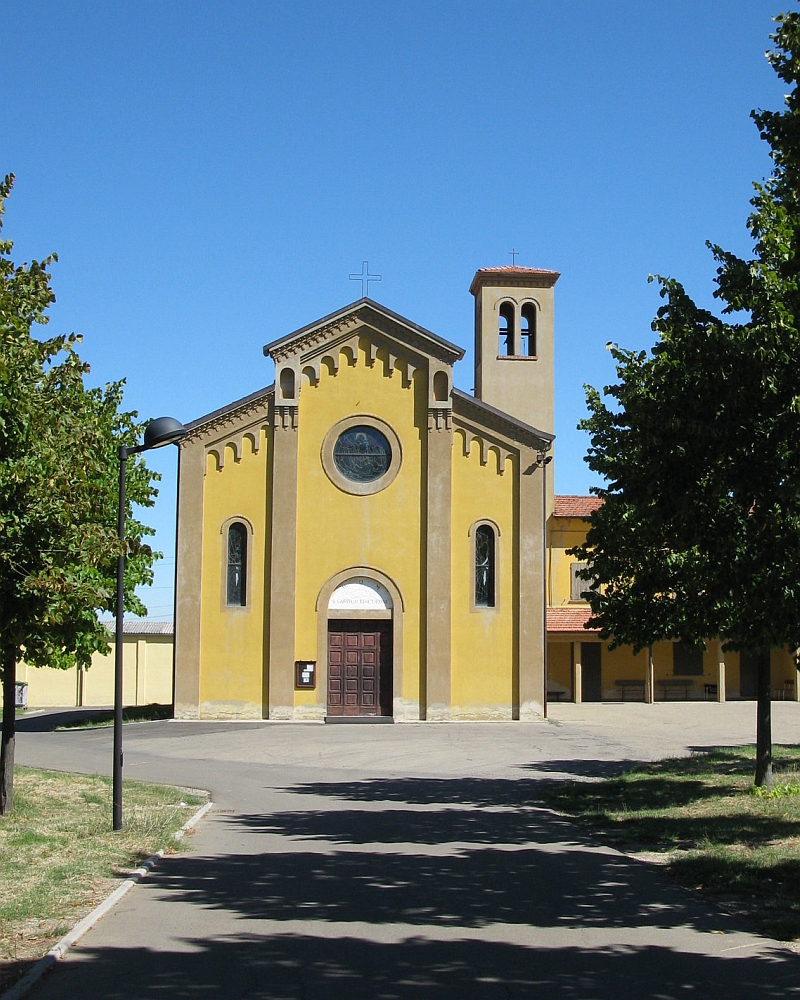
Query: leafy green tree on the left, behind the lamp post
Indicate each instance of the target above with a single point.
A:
(59, 442)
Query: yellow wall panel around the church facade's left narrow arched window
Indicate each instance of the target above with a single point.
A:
(232, 639)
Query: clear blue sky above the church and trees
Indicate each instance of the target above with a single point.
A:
(210, 173)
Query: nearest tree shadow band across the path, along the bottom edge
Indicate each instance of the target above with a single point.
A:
(302, 967)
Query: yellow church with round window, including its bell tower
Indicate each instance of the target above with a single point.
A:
(362, 539)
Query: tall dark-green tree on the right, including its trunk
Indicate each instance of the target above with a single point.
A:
(699, 446)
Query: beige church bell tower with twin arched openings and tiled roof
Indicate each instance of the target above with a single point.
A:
(514, 342)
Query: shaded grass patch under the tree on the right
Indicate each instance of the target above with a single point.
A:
(701, 819)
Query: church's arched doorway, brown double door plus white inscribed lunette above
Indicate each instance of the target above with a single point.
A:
(359, 649)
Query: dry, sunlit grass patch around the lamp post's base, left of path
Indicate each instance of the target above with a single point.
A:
(59, 856)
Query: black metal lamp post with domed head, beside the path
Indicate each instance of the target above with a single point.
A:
(161, 431)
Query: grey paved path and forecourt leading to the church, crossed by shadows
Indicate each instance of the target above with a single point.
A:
(410, 862)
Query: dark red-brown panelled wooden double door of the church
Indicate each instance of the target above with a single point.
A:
(359, 667)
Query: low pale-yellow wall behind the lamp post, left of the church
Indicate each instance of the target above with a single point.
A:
(147, 677)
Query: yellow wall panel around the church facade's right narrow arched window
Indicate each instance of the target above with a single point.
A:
(484, 656)
